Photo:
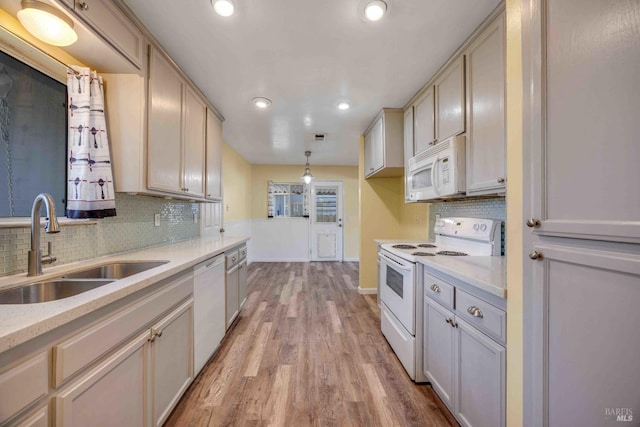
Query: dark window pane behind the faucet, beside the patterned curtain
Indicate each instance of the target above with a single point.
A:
(33, 135)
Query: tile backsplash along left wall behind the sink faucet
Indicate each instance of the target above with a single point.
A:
(133, 228)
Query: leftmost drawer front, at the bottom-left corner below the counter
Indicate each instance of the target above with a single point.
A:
(22, 385)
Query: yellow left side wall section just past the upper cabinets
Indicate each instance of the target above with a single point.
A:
(237, 185)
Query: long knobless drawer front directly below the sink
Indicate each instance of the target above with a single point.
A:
(74, 354)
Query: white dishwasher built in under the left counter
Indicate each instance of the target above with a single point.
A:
(208, 309)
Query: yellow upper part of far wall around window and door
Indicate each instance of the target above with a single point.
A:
(261, 174)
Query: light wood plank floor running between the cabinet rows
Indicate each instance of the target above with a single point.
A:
(307, 351)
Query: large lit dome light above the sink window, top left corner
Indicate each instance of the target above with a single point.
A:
(47, 23)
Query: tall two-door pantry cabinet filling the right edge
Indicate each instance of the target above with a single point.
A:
(582, 239)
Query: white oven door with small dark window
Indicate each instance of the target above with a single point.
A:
(397, 288)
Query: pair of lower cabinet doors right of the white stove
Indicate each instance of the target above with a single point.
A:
(466, 368)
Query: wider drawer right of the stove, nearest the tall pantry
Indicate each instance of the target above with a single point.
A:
(483, 315)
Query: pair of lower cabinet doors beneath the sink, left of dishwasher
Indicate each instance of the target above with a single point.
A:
(141, 381)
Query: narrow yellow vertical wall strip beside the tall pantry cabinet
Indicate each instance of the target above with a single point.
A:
(514, 215)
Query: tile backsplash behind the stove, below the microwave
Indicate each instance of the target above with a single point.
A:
(493, 208)
